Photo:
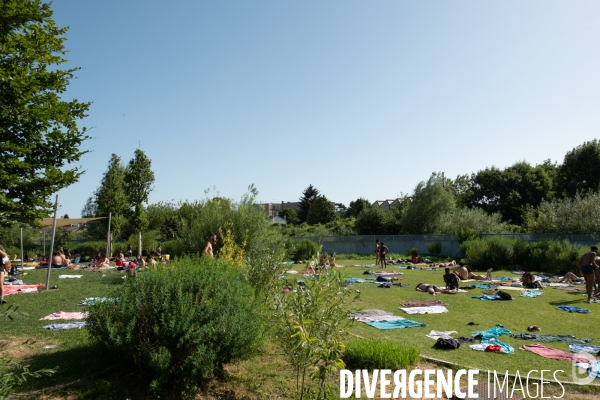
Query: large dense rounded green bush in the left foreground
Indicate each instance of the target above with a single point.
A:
(183, 324)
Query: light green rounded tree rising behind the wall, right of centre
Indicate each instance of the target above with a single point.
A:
(429, 202)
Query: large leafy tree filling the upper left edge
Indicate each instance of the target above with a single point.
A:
(38, 130)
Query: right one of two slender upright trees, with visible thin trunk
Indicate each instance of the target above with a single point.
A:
(139, 179)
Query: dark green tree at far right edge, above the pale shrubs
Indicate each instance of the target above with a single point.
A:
(580, 170)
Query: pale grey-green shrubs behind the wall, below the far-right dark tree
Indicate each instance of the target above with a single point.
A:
(580, 214)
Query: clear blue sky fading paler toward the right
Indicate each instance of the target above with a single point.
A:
(359, 98)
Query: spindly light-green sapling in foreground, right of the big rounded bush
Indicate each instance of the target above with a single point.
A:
(310, 328)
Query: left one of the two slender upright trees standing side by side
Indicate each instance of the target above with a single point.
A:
(111, 196)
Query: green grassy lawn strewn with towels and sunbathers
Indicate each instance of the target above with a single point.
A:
(268, 376)
